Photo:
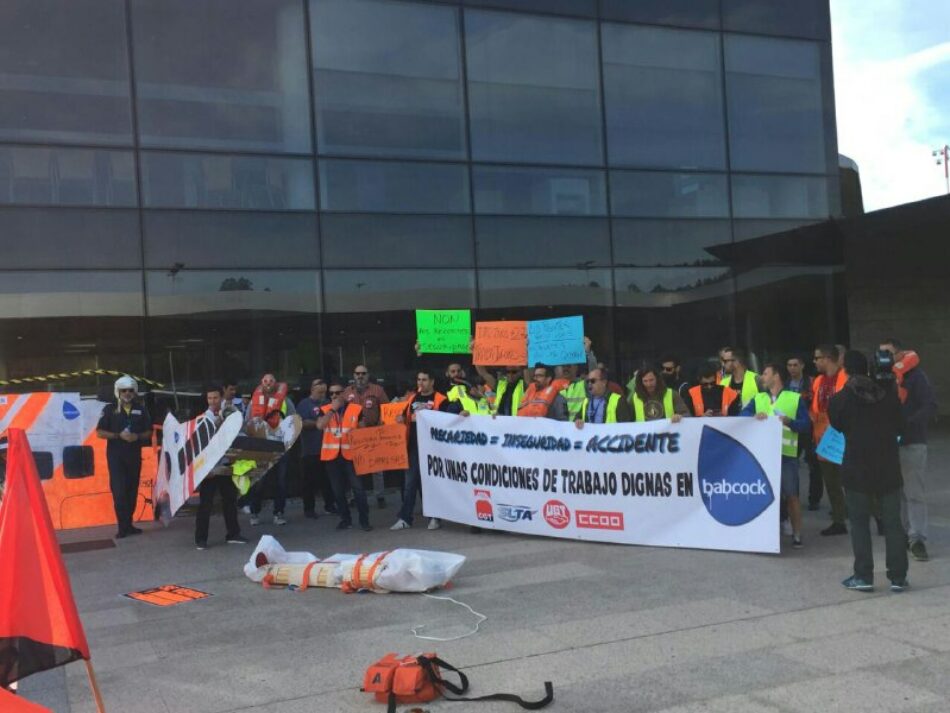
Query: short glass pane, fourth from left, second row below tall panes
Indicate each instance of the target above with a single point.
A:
(542, 241)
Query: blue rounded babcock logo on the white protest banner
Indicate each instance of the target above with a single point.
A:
(732, 484)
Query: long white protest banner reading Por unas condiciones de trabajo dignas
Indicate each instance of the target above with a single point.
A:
(708, 483)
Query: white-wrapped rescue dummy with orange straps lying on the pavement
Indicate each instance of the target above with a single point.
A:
(399, 570)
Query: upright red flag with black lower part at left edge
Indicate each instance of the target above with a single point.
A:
(39, 624)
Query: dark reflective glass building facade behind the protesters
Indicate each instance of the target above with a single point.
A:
(193, 189)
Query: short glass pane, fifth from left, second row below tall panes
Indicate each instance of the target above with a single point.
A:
(668, 242)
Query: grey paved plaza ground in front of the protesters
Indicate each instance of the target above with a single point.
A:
(616, 628)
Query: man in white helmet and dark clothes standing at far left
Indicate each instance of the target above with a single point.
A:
(127, 427)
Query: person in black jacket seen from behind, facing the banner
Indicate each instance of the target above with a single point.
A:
(869, 416)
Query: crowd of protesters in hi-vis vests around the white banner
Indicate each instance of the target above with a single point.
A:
(884, 418)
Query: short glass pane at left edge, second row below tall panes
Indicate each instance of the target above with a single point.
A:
(37, 238)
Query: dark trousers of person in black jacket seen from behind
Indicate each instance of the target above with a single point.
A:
(859, 511)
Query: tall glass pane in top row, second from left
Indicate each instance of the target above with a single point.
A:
(221, 74)
